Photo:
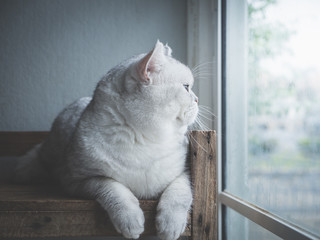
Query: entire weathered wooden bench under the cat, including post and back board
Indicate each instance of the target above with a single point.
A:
(44, 211)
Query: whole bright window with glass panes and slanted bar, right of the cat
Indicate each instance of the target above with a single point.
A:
(270, 119)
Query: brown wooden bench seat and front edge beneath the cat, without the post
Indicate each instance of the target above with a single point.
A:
(45, 211)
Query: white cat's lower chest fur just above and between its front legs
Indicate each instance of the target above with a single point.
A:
(148, 173)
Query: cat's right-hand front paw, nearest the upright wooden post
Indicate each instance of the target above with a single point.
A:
(170, 223)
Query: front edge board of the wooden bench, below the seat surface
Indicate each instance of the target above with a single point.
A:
(65, 224)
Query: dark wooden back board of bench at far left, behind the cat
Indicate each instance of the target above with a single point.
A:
(18, 143)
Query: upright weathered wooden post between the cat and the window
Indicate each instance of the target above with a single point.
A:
(203, 174)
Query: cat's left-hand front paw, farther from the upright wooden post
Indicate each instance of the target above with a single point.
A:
(129, 221)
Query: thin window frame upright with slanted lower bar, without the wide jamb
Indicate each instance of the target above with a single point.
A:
(262, 217)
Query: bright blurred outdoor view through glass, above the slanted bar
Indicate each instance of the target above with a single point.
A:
(283, 172)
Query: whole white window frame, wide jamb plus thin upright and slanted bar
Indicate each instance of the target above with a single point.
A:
(206, 43)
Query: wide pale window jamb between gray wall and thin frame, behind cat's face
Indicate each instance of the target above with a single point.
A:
(202, 49)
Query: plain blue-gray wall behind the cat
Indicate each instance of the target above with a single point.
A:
(53, 52)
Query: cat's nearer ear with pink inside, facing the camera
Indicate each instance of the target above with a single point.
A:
(152, 63)
